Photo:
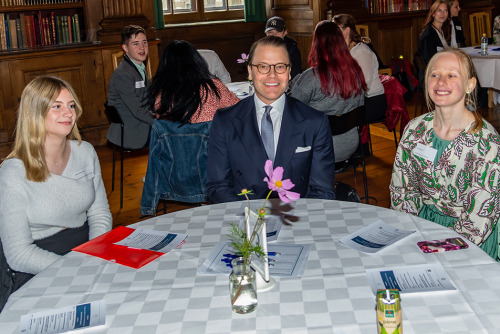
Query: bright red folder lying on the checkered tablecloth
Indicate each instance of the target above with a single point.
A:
(103, 247)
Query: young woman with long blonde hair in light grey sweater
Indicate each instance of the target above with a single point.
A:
(52, 196)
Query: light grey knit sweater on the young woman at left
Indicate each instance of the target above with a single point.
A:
(34, 210)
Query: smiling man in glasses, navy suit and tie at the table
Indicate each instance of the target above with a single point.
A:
(269, 125)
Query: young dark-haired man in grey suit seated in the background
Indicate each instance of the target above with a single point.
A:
(128, 91)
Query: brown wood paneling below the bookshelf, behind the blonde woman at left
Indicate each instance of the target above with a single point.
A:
(87, 69)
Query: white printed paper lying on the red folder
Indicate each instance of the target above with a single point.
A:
(162, 242)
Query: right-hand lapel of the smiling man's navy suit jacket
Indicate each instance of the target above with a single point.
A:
(293, 128)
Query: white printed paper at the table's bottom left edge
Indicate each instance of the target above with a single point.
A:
(64, 319)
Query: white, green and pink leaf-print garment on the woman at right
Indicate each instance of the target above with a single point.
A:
(462, 184)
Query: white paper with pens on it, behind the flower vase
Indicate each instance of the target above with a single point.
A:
(291, 261)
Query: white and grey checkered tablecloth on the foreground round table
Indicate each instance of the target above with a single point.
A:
(333, 296)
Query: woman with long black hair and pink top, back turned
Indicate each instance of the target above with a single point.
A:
(183, 90)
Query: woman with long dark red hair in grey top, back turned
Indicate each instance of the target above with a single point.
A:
(334, 83)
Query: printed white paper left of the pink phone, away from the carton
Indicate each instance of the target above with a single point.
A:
(374, 237)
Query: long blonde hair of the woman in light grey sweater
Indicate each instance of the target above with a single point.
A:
(36, 100)
